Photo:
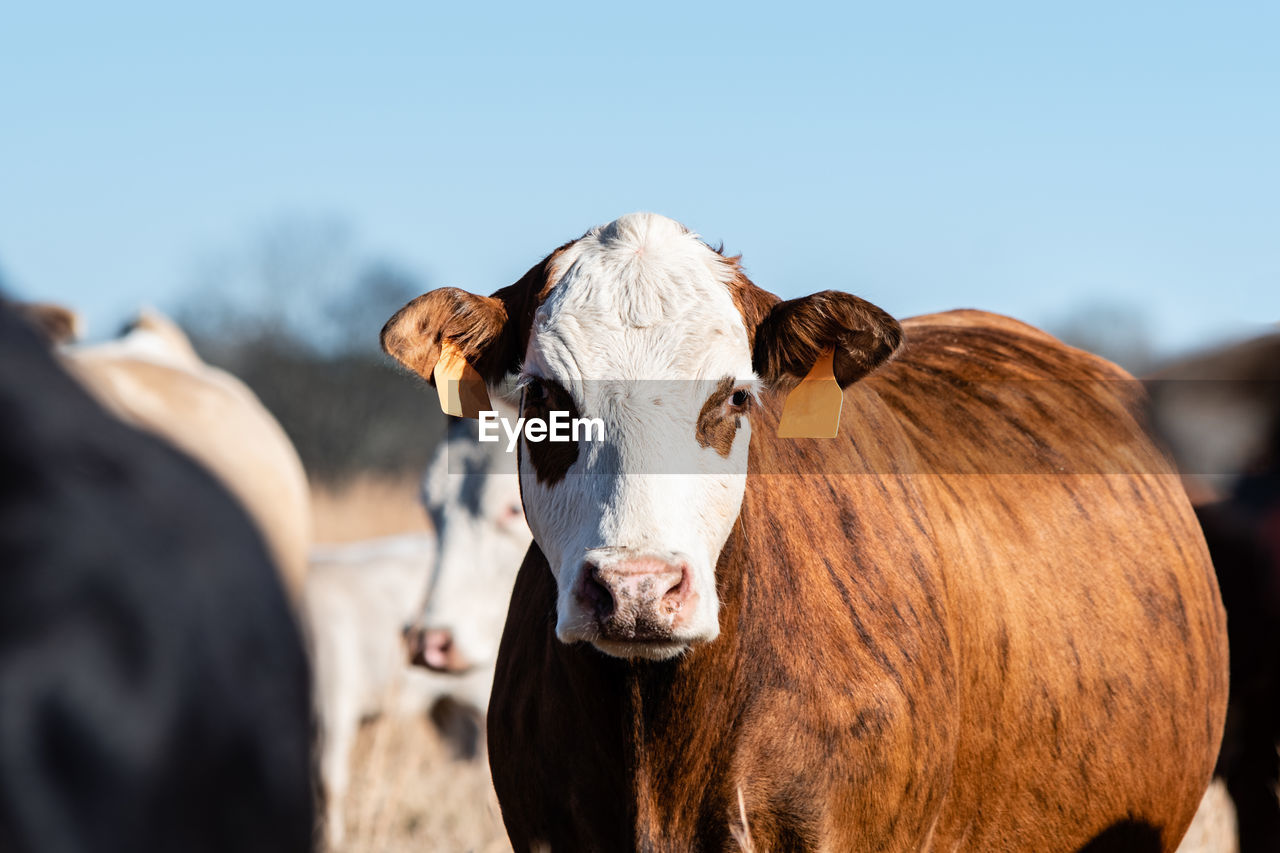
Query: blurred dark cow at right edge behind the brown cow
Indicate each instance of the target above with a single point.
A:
(1220, 416)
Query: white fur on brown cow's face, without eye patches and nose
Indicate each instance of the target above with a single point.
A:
(639, 329)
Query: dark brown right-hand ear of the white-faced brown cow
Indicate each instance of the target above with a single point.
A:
(797, 332)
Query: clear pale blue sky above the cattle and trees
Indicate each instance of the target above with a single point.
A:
(1025, 158)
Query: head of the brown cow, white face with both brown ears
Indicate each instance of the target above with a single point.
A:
(643, 326)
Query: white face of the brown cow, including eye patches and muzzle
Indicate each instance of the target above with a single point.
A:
(641, 331)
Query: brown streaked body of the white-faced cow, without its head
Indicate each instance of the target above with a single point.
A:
(995, 627)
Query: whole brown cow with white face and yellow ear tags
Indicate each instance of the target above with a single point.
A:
(982, 618)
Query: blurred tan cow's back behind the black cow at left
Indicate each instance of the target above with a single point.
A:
(153, 378)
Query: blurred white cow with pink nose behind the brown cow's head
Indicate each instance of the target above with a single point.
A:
(359, 599)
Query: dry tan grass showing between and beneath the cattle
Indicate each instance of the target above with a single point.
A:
(410, 788)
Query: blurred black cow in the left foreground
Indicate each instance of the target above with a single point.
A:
(154, 691)
